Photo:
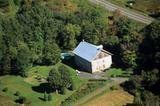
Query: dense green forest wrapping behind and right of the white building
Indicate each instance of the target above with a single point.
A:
(40, 30)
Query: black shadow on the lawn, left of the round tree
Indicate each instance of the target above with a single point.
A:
(44, 87)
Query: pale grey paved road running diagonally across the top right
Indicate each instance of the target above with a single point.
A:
(130, 14)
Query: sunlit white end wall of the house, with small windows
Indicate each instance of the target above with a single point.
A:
(101, 64)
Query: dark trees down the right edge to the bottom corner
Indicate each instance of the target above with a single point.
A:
(145, 84)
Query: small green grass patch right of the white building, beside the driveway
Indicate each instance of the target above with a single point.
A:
(115, 72)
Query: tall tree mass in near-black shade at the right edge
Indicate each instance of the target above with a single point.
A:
(149, 48)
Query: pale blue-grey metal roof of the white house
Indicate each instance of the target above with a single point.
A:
(87, 51)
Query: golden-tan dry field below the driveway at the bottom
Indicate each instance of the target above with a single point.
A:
(113, 98)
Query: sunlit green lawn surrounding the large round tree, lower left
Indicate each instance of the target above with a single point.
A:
(26, 87)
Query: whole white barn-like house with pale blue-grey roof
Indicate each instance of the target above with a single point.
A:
(92, 58)
